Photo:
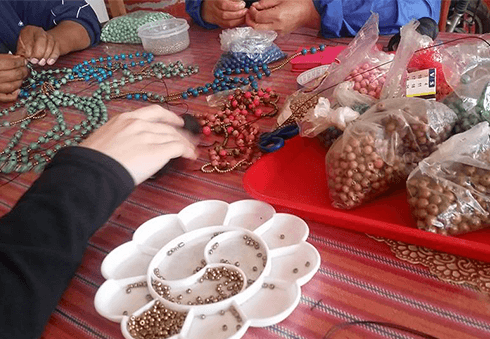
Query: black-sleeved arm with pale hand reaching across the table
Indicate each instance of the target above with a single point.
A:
(43, 238)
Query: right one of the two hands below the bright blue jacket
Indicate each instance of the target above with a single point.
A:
(282, 16)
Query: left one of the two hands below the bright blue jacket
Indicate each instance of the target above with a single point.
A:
(224, 13)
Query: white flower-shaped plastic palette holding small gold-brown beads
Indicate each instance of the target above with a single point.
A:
(222, 267)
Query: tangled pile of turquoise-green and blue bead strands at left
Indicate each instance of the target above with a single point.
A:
(41, 97)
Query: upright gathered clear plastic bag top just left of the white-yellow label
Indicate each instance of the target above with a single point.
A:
(396, 78)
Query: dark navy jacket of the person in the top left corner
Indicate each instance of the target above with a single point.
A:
(14, 15)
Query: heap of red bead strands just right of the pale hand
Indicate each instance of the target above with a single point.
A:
(235, 122)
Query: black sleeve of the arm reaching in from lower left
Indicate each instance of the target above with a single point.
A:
(43, 238)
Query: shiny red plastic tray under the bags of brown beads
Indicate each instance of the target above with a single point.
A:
(293, 180)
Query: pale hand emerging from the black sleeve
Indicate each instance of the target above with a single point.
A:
(143, 141)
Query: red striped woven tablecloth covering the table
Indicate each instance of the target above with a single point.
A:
(360, 277)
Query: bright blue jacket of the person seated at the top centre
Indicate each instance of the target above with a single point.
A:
(346, 17)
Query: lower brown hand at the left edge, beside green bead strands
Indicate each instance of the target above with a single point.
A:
(13, 70)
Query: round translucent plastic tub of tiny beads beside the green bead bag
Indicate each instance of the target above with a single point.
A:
(165, 36)
